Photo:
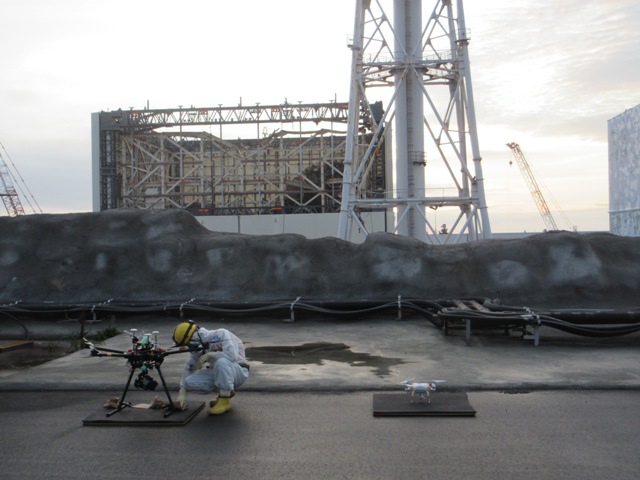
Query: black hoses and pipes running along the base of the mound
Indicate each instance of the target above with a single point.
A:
(481, 311)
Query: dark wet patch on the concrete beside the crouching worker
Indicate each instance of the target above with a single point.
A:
(315, 353)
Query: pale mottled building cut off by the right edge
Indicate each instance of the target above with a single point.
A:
(624, 173)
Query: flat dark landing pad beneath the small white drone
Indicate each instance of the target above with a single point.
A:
(442, 405)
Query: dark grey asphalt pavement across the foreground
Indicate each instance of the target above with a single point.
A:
(568, 435)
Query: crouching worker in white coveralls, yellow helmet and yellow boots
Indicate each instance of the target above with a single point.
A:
(219, 366)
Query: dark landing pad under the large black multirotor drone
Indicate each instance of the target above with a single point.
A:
(142, 417)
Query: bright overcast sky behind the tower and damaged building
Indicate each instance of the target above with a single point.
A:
(546, 74)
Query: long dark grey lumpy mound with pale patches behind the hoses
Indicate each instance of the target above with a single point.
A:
(136, 255)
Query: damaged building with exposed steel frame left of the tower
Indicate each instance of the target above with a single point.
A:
(161, 159)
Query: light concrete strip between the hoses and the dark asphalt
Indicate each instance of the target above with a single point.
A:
(309, 355)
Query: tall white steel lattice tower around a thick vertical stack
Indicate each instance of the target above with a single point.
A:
(420, 64)
